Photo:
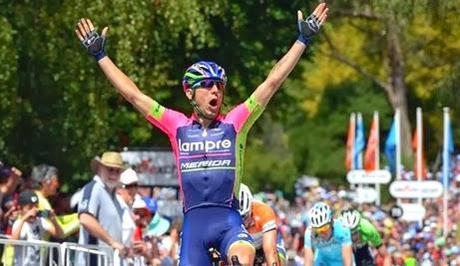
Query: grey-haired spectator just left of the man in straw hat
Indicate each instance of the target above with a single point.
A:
(45, 181)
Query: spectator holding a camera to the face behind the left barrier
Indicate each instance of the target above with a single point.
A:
(31, 225)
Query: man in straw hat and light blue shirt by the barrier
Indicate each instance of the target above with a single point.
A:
(99, 211)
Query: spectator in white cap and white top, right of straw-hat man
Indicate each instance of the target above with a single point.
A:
(125, 195)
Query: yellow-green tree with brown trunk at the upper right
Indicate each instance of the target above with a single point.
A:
(405, 48)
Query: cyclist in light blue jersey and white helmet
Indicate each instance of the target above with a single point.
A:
(327, 241)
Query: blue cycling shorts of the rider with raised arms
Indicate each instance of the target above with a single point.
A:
(209, 227)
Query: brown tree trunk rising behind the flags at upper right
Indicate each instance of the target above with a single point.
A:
(397, 93)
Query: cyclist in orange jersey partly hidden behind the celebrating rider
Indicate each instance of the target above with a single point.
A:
(260, 221)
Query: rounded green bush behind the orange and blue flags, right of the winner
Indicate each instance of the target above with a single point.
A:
(318, 142)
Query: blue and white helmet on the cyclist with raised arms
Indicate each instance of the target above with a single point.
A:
(203, 70)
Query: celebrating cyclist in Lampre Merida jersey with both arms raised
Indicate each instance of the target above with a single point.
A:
(208, 146)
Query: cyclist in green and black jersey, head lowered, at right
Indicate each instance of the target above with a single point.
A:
(364, 235)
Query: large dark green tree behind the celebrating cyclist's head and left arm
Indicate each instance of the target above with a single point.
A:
(65, 111)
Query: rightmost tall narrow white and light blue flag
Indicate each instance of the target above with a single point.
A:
(445, 168)
